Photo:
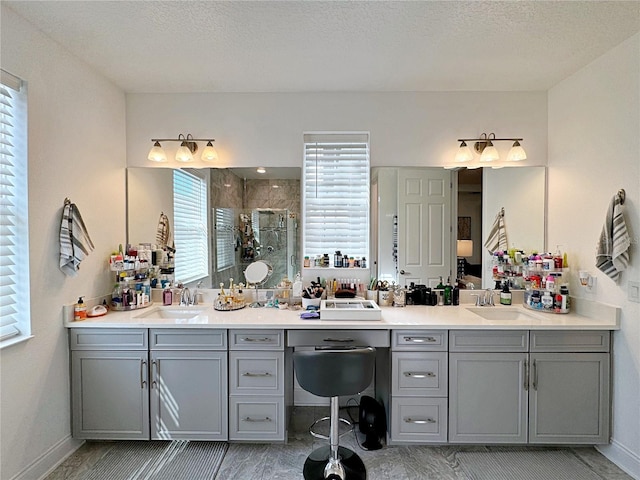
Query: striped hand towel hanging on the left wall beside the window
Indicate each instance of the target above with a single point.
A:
(75, 243)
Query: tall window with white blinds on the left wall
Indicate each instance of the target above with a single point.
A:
(15, 311)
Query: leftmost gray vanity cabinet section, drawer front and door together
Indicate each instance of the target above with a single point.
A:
(110, 384)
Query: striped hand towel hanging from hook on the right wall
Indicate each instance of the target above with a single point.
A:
(612, 251)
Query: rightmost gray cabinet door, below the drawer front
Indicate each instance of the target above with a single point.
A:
(569, 398)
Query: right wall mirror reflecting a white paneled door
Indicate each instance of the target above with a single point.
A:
(418, 248)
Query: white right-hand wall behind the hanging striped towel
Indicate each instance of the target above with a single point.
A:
(594, 150)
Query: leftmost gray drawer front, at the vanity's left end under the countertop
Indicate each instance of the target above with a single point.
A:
(108, 339)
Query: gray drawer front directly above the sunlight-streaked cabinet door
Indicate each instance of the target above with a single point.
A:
(187, 339)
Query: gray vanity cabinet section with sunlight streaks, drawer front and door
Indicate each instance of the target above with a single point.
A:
(188, 384)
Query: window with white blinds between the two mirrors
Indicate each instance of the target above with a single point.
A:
(336, 194)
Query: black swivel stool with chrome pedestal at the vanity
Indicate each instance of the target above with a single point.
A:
(331, 373)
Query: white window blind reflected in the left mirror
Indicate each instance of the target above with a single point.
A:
(190, 225)
